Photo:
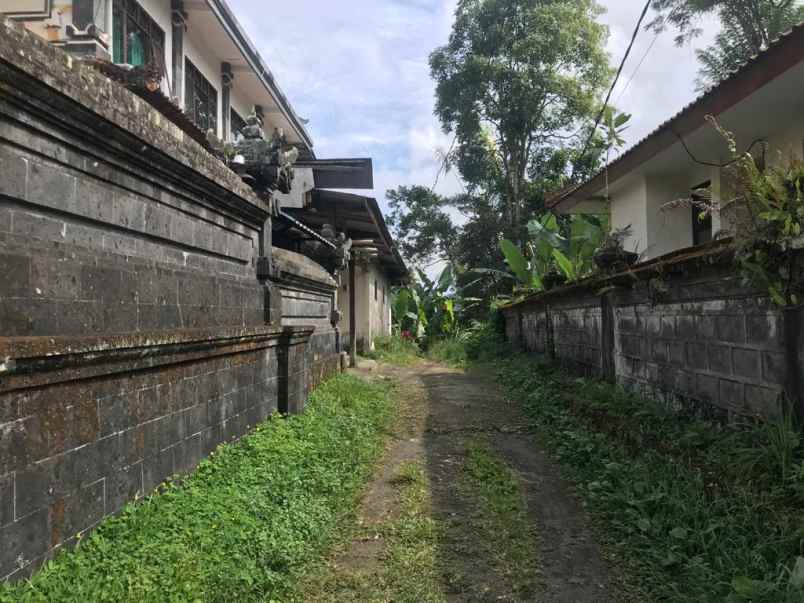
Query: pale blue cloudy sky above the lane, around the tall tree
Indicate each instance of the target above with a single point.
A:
(358, 70)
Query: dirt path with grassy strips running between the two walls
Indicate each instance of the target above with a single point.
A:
(501, 524)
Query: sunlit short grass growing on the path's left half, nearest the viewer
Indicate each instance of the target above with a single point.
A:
(407, 569)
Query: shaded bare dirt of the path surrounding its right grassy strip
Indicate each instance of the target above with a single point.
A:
(463, 406)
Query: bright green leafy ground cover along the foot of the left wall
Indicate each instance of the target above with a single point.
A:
(246, 526)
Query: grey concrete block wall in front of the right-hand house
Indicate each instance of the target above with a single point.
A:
(684, 328)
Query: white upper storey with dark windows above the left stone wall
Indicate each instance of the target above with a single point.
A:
(209, 67)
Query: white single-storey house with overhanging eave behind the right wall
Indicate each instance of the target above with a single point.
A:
(760, 103)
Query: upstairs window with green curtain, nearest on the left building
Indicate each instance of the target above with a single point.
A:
(136, 38)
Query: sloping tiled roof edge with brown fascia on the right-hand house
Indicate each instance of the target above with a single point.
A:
(781, 55)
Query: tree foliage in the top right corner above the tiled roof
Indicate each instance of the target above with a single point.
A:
(748, 26)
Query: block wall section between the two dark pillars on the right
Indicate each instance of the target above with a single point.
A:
(730, 353)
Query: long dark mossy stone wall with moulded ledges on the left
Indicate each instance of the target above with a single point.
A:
(135, 335)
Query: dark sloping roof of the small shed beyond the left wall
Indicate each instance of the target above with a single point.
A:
(360, 218)
